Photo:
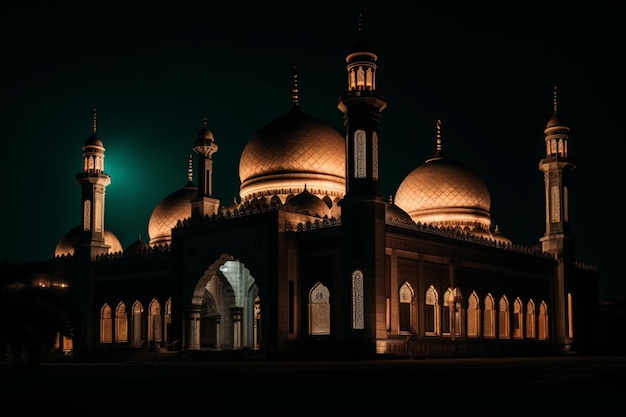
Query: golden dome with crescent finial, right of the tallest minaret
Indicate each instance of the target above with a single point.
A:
(445, 192)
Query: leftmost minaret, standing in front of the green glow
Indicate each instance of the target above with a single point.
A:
(93, 181)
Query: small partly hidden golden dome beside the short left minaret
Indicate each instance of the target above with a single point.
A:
(176, 206)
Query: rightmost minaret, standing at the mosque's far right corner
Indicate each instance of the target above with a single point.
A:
(557, 240)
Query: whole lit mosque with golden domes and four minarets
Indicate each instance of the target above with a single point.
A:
(312, 260)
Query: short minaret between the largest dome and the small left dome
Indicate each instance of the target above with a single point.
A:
(205, 147)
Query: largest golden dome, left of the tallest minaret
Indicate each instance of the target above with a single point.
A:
(291, 151)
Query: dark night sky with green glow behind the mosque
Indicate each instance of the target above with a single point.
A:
(152, 70)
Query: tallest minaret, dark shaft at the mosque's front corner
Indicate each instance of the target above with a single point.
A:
(363, 208)
